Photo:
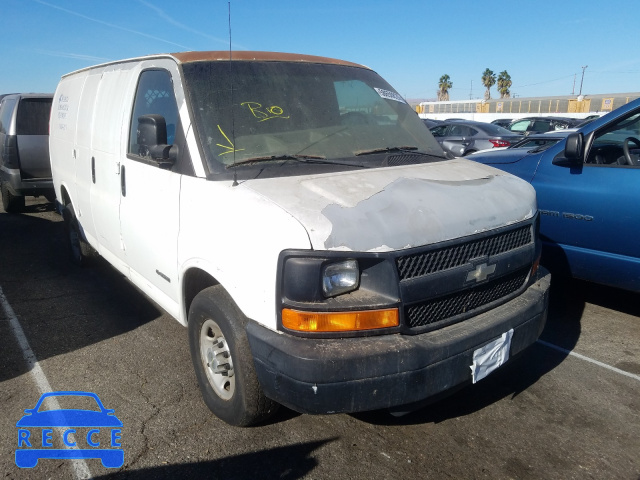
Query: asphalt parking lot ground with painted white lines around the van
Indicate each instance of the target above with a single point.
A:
(567, 408)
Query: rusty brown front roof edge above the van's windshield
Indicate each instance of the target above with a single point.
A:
(187, 57)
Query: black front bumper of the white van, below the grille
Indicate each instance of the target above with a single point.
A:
(370, 373)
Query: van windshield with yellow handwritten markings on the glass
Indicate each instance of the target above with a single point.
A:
(303, 110)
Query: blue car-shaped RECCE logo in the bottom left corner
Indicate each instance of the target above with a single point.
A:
(86, 433)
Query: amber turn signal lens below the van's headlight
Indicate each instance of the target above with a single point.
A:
(339, 321)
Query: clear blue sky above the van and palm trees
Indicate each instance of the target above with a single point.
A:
(542, 44)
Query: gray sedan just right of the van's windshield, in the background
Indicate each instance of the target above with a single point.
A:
(461, 138)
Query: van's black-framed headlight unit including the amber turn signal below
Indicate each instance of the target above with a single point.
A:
(309, 285)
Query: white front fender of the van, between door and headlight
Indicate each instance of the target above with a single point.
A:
(229, 232)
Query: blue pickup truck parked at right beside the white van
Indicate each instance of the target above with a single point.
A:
(588, 187)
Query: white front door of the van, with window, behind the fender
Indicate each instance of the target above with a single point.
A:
(149, 211)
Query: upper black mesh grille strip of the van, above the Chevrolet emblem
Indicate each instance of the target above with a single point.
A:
(424, 263)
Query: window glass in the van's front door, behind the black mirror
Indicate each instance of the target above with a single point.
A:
(154, 95)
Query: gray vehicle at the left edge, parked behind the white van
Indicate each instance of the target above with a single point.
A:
(24, 149)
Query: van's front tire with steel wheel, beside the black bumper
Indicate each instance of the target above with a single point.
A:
(223, 361)
